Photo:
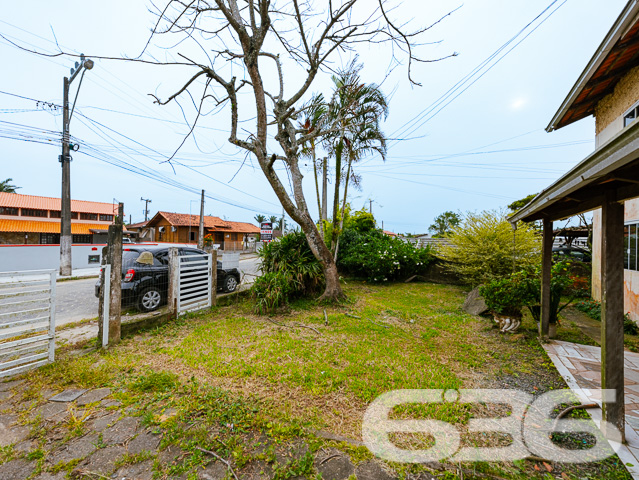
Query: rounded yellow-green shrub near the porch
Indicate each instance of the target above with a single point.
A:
(482, 248)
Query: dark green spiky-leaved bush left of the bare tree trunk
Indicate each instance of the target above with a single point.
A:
(289, 270)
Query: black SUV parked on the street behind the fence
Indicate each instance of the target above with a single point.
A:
(146, 286)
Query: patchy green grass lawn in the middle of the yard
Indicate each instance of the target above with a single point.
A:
(310, 372)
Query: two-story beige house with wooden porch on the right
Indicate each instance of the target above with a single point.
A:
(606, 182)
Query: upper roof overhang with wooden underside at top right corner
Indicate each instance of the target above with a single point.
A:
(617, 54)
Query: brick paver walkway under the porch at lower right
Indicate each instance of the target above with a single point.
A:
(580, 366)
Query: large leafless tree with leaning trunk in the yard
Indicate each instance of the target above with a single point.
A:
(308, 33)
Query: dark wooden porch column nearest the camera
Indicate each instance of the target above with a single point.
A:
(612, 368)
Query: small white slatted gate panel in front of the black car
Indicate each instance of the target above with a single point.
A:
(194, 282)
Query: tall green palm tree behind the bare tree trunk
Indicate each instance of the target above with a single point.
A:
(355, 112)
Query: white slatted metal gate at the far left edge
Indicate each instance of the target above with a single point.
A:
(27, 320)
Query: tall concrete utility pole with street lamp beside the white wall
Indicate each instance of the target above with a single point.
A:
(66, 239)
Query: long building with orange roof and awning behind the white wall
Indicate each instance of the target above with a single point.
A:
(27, 219)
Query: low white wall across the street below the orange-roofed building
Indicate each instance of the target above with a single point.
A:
(39, 257)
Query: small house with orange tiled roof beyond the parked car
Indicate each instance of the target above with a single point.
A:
(184, 228)
